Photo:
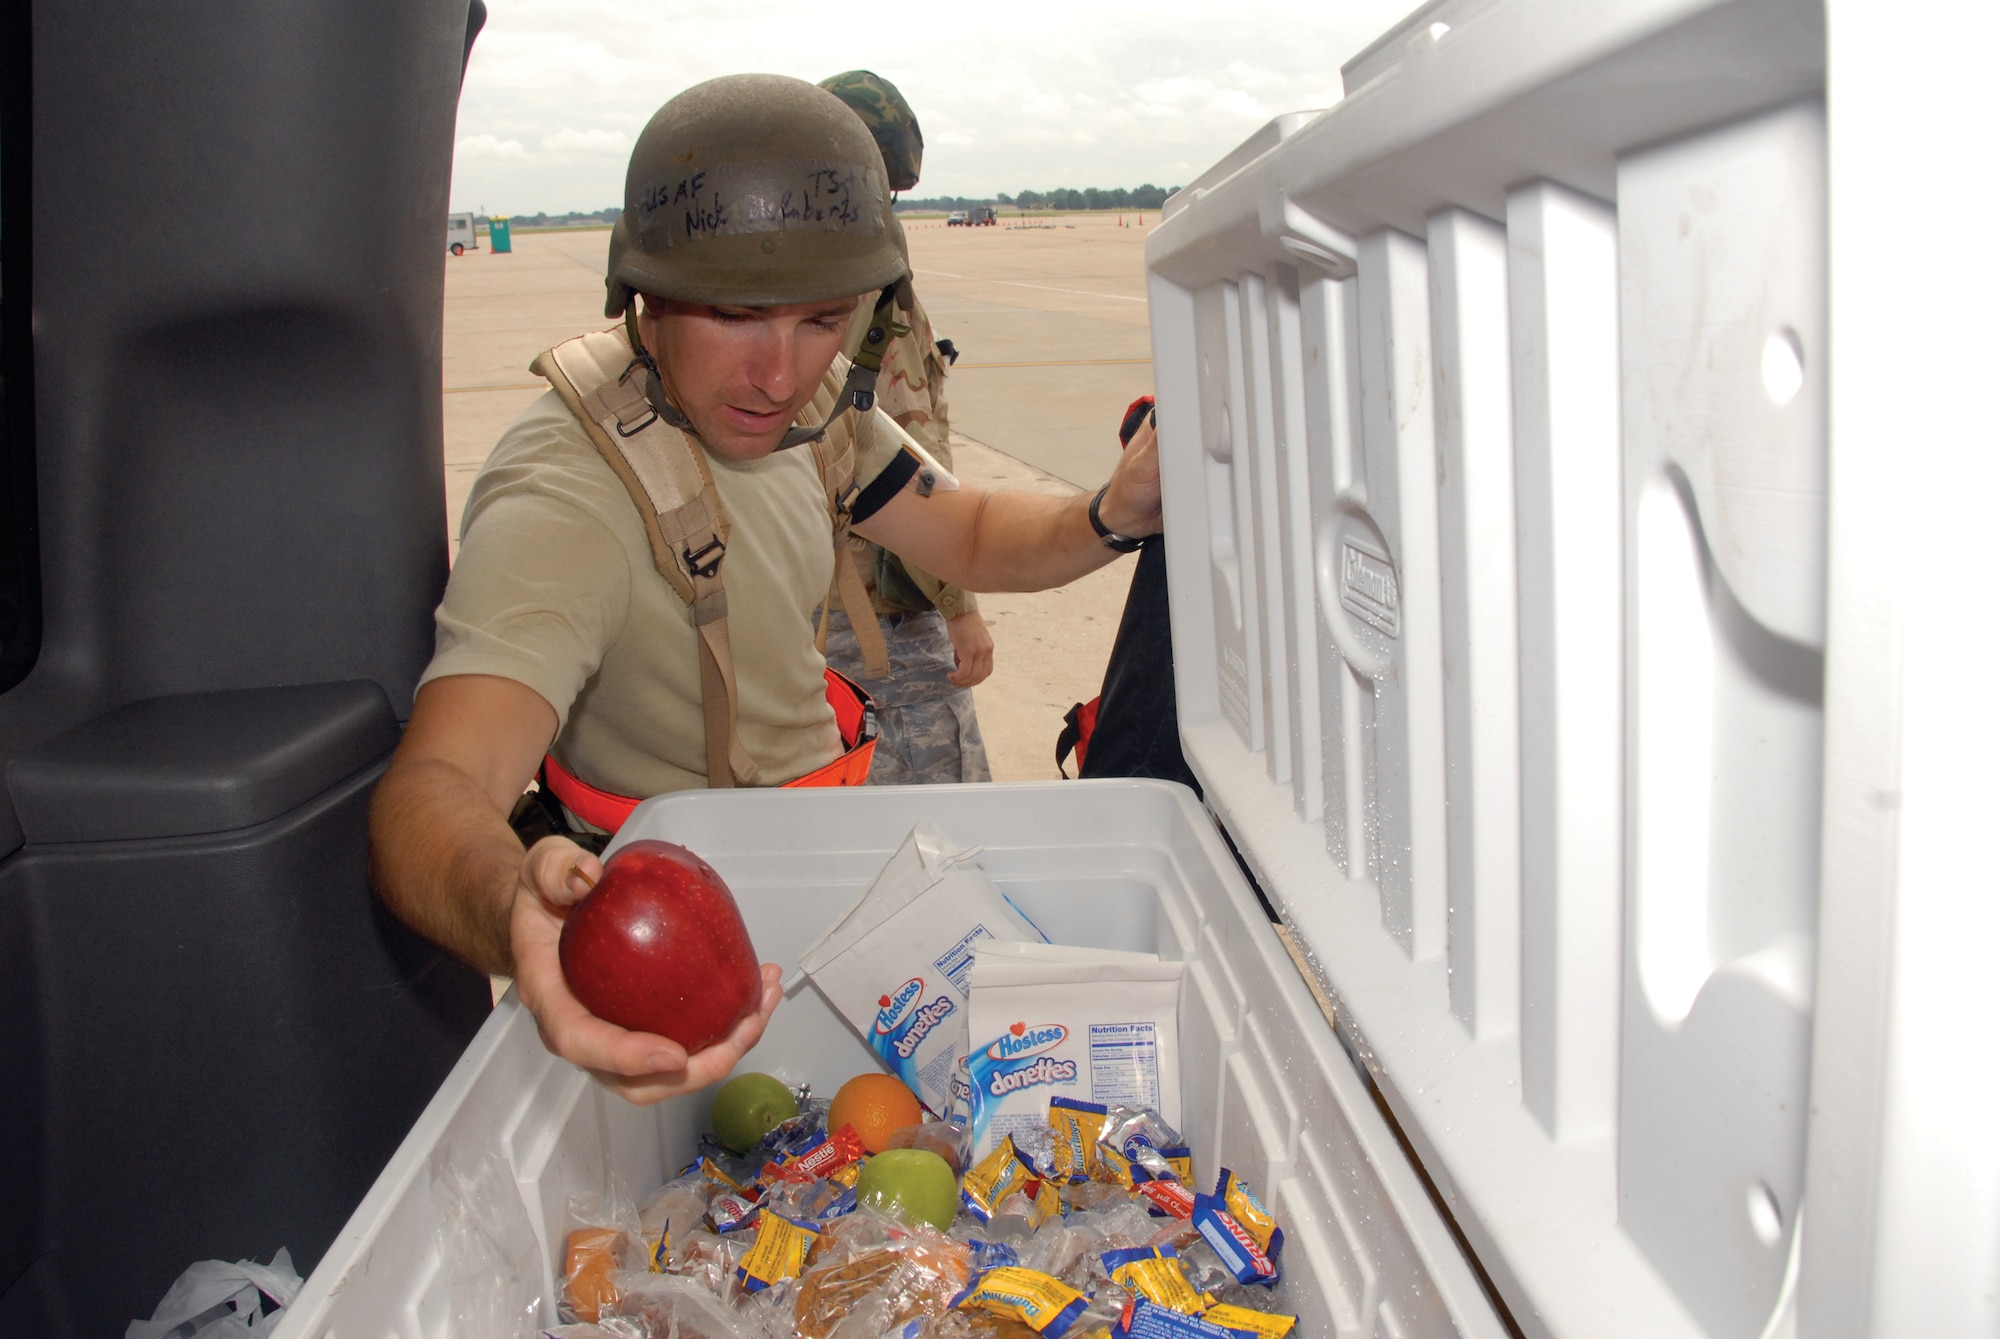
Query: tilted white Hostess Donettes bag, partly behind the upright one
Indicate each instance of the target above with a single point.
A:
(897, 964)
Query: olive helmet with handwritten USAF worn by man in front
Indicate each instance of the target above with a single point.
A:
(755, 191)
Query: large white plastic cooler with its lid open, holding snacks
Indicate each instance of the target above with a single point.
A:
(1579, 672)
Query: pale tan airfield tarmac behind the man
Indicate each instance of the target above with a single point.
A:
(1051, 327)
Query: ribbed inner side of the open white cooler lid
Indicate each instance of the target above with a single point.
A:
(1495, 427)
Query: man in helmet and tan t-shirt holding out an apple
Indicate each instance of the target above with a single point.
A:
(587, 631)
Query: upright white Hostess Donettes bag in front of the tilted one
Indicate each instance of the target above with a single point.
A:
(1093, 1026)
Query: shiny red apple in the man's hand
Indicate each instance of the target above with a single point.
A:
(659, 946)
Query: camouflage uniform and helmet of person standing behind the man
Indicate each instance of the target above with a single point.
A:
(929, 726)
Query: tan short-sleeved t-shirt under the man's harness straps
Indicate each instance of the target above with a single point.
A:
(555, 589)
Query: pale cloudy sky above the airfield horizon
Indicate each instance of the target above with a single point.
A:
(1011, 95)
